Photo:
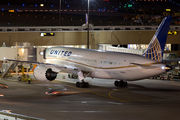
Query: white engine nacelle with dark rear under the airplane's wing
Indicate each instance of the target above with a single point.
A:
(44, 73)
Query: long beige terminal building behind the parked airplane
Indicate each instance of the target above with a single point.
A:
(108, 38)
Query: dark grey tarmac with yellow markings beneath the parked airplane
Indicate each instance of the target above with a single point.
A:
(146, 99)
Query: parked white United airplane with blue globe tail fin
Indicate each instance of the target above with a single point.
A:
(103, 64)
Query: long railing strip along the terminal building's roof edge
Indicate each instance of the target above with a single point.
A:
(79, 28)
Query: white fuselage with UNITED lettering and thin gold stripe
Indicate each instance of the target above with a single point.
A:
(108, 65)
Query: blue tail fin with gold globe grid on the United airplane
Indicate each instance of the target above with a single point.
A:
(156, 46)
